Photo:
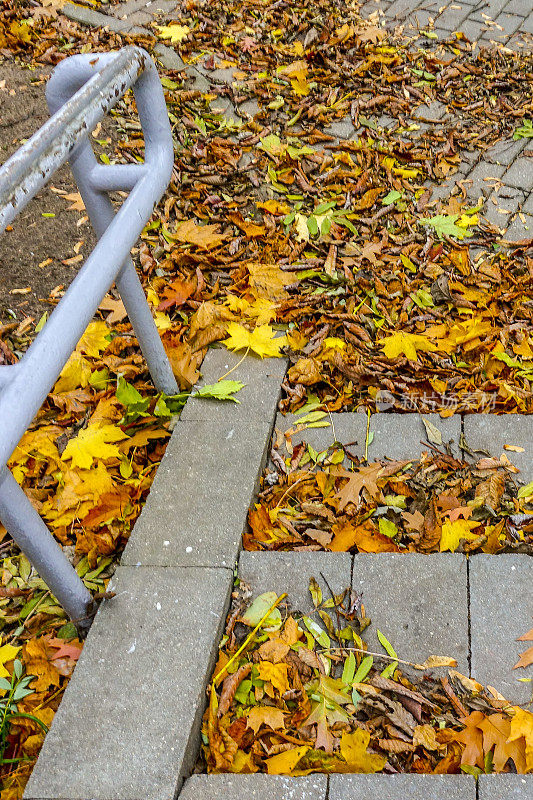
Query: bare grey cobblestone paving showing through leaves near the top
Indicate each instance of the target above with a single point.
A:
(502, 176)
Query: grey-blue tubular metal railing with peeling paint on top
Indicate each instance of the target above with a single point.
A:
(81, 90)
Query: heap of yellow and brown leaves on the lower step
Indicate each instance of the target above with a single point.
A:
(301, 694)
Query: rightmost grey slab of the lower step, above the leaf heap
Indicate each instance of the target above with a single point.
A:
(501, 609)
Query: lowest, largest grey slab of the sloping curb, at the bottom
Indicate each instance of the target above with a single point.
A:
(128, 726)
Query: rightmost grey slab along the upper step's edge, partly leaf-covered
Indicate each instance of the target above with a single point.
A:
(490, 432)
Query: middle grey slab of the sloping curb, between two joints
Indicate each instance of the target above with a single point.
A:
(198, 504)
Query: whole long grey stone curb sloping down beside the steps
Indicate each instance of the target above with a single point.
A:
(128, 727)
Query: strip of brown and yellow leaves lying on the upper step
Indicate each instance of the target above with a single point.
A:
(438, 503)
